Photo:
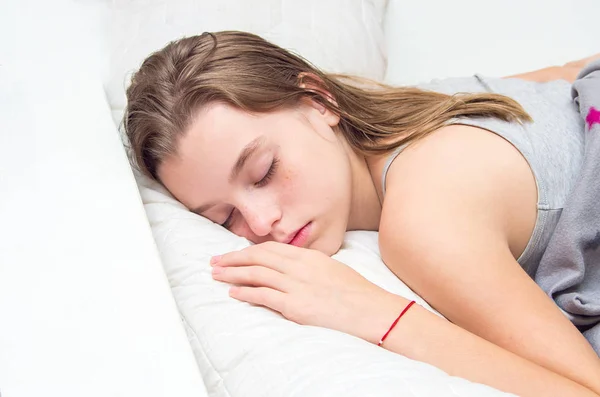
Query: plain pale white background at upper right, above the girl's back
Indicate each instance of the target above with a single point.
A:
(429, 39)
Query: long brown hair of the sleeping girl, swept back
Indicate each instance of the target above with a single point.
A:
(254, 75)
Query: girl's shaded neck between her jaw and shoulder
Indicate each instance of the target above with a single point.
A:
(365, 208)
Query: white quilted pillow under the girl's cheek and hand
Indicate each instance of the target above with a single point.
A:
(247, 351)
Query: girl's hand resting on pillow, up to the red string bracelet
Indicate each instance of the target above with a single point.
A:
(308, 287)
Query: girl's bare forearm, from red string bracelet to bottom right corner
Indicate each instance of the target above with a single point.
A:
(423, 336)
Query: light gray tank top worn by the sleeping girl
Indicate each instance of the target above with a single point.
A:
(553, 145)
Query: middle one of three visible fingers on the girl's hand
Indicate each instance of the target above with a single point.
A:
(256, 276)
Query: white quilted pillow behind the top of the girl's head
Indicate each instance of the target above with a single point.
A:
(336, 35)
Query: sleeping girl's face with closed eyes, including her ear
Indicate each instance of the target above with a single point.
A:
(282, 176)
